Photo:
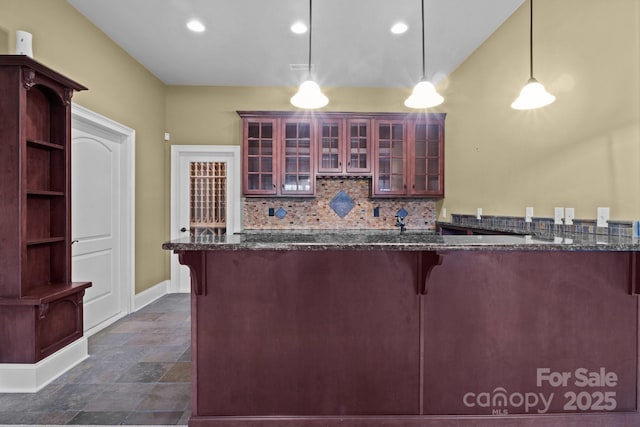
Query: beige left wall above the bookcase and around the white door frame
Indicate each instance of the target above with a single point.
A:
(119, 88)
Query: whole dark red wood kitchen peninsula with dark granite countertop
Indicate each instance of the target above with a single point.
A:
(382, 328)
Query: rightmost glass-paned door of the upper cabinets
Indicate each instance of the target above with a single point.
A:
(427, 164)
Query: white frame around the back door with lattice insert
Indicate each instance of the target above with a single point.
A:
(234, 183)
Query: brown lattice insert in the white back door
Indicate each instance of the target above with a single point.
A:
(207, 198)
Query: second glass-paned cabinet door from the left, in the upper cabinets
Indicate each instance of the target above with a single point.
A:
(297, 172)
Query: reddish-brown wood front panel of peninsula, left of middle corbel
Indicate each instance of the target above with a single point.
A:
(303, 333)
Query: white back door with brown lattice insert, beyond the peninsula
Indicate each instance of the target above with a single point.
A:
(205, 162)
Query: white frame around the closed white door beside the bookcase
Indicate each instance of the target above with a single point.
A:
(86, 119)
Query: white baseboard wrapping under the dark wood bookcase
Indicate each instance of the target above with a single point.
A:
(30, 378)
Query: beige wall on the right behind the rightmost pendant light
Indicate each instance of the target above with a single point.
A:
(583, 151)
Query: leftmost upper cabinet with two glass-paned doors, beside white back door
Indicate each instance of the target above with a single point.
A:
(278, 154)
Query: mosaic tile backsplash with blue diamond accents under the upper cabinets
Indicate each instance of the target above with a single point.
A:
(340, 203)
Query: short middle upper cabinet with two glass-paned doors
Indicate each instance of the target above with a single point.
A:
(344, 146)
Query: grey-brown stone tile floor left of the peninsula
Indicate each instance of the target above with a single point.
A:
(138, 372)
